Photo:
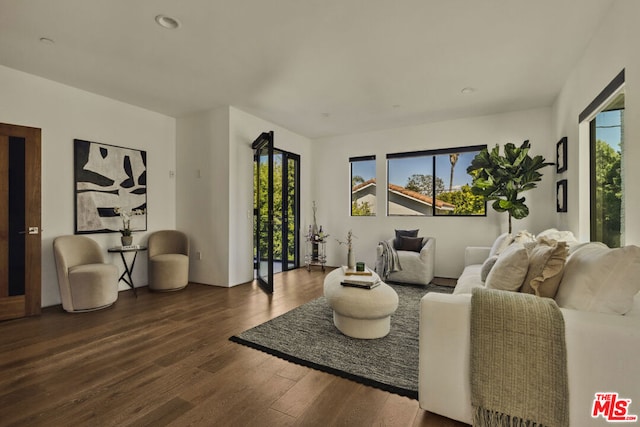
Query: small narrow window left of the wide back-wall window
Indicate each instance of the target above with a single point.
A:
(363, 186)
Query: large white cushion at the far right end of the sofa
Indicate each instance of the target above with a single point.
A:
(598, 278)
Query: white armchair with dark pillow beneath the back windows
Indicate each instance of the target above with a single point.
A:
(416, 267)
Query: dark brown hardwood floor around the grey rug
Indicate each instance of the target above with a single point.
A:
(165, 359)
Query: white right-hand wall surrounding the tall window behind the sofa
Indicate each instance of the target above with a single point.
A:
(613, 48)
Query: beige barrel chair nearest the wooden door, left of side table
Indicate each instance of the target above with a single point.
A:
(86, 282)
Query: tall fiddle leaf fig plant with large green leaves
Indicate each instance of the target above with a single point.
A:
(502, 177)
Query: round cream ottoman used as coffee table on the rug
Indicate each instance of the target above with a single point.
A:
(360, 313)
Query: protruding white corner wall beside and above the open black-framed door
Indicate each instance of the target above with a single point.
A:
(216, 209)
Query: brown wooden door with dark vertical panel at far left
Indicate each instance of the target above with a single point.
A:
(20, 222)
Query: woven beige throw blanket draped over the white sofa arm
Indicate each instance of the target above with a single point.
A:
(518, 360)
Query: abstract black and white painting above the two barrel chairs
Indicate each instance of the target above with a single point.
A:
(106, 178)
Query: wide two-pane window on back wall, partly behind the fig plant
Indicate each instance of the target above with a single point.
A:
(432, 183)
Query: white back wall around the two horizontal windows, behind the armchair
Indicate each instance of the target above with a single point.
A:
(332, 185)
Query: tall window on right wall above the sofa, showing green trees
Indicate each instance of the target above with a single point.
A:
(606, 139)
